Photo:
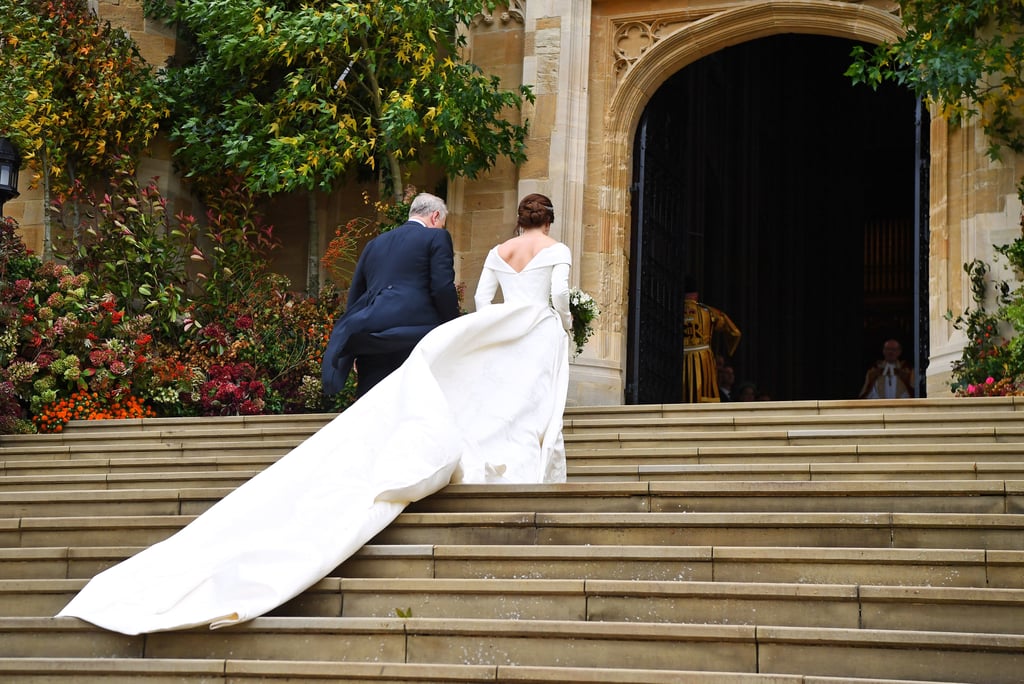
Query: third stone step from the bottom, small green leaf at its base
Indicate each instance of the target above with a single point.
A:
(849, 607)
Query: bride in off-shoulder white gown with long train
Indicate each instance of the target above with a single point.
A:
(481, 400)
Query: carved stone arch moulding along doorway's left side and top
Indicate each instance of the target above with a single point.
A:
(663, 47)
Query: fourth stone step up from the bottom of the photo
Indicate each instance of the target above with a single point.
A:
(933, 568)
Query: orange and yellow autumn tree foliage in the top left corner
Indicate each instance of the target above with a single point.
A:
(74, 92)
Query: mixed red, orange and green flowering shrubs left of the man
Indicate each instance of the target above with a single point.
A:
(240, 343)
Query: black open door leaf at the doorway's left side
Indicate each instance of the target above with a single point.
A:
(655, 365)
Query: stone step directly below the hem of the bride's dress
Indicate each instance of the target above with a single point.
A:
(976, 496)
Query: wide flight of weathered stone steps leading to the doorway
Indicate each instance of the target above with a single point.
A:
(806, 542)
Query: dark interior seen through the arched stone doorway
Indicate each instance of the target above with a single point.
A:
(790, 196)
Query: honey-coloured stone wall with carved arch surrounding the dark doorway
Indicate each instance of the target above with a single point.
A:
(593, 67)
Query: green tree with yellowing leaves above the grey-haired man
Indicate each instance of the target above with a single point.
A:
(294, 96)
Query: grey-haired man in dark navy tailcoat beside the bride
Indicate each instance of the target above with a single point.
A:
(404, 287)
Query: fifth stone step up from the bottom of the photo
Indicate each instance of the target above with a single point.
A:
(911, 531)
